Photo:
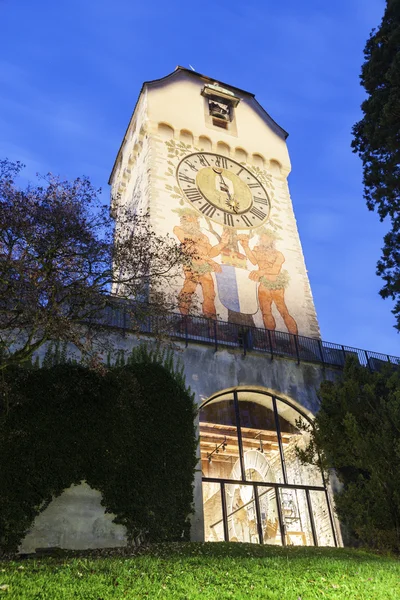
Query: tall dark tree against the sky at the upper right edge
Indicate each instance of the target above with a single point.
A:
(377, 141)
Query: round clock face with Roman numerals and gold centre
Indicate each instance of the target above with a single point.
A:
(223, 190)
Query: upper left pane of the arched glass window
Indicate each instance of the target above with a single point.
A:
(218, 440)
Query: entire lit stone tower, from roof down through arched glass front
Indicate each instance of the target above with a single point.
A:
(210, 166)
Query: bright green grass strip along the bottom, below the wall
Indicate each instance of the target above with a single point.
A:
(208, 572)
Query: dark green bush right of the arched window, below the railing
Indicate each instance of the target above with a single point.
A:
(357, 433)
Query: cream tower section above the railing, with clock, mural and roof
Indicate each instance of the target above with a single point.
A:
(210, 166)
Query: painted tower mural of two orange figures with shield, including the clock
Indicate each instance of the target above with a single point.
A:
(221, 211)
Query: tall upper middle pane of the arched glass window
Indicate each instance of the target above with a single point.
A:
(259, 438)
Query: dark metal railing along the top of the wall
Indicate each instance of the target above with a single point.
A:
(220, 334)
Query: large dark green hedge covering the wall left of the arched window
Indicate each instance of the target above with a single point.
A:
(127, 430)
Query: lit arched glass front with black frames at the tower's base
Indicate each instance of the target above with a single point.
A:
(254, 487)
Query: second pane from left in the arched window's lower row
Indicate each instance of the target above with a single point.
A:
(241, 511)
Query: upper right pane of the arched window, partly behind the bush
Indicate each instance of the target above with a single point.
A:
(293, 436)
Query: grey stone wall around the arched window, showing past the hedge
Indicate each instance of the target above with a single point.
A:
(76, 519)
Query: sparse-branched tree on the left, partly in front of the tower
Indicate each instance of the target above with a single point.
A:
(60, 258)
